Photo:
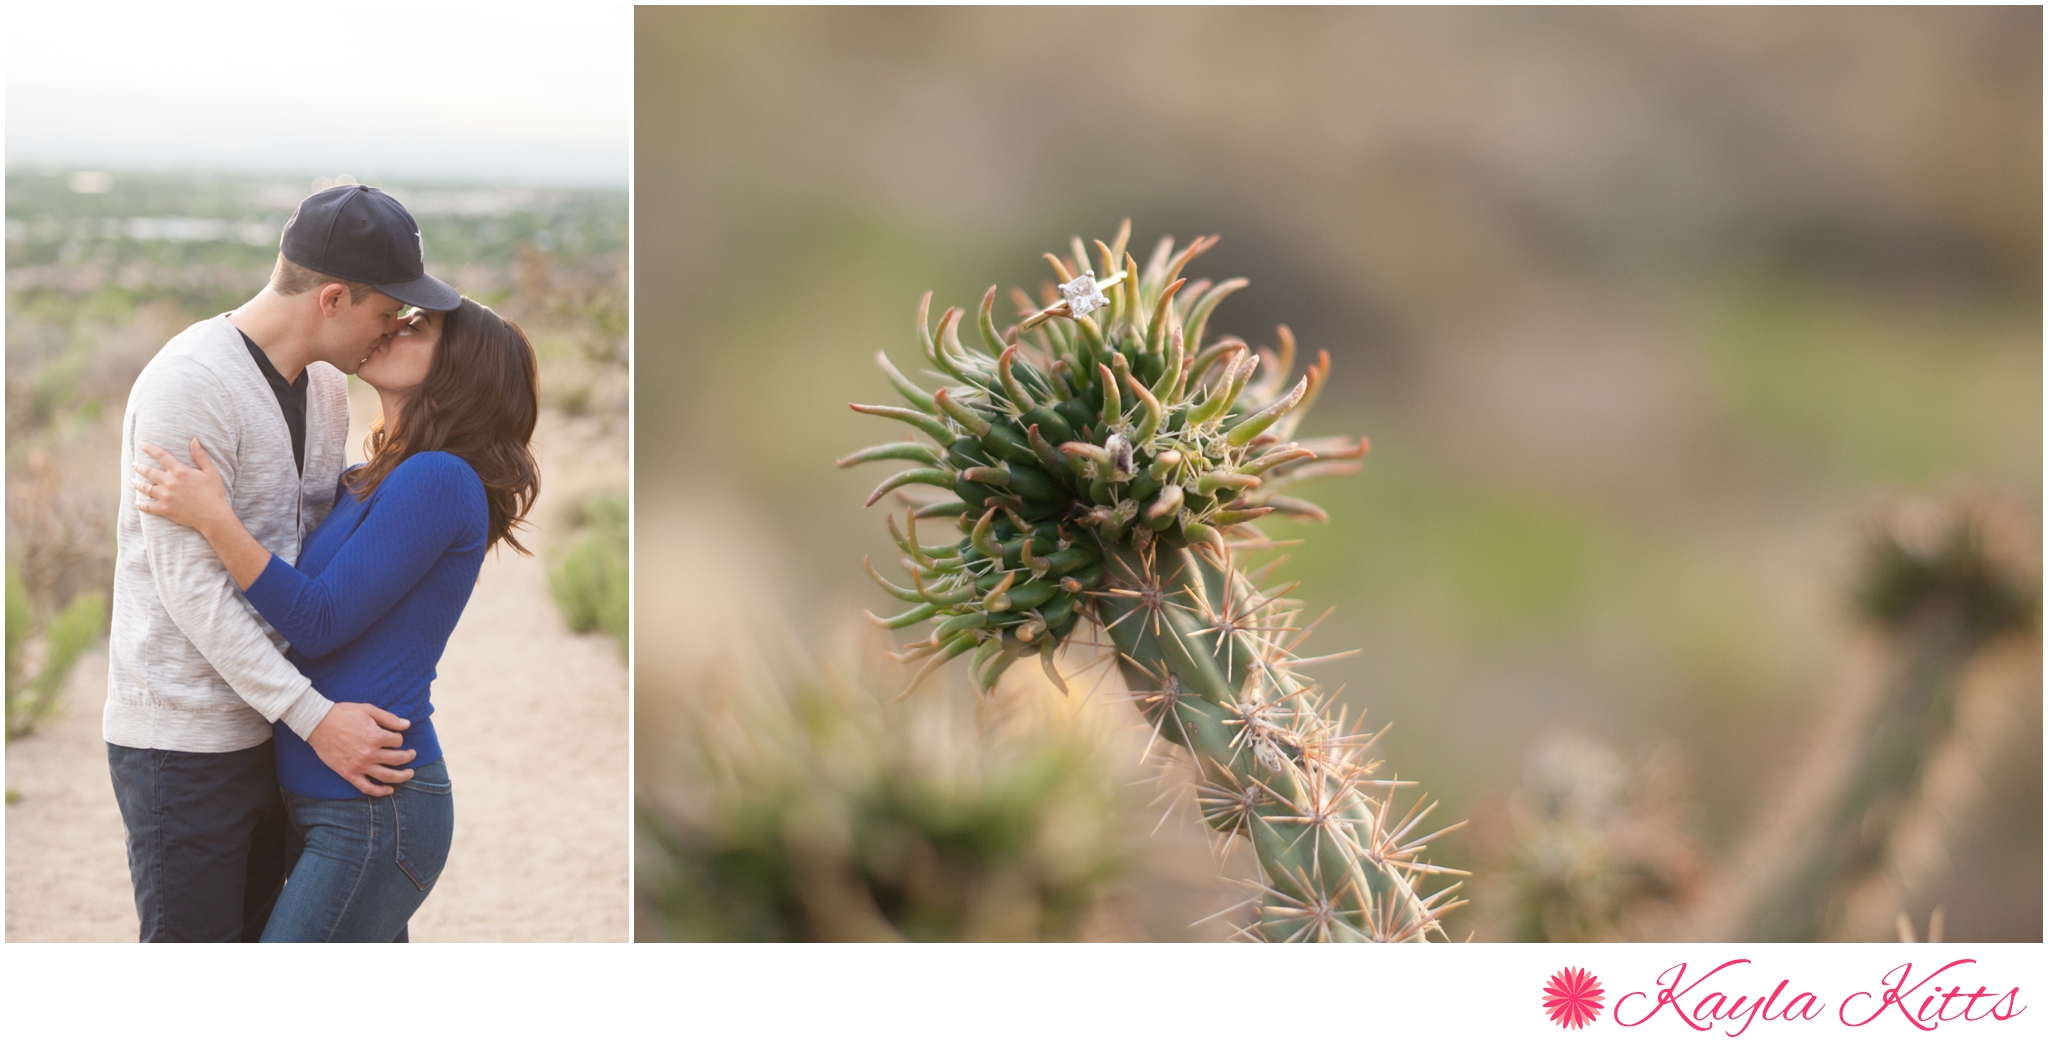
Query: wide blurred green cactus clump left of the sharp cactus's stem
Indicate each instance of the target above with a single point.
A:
(816, 812)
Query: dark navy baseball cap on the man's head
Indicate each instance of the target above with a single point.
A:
(361, 234)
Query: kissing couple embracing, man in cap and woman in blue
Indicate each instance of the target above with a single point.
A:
(280, 613)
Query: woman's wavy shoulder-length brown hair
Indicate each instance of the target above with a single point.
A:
(478, 402)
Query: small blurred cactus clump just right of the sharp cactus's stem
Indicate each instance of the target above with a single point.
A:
(1590, 848)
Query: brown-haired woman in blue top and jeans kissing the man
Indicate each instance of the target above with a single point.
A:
(370, 607)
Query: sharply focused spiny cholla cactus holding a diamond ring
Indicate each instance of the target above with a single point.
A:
(1107, 466)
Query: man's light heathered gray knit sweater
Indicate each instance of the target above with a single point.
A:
(191, 666)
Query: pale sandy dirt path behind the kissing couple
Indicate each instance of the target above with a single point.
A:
(534, 722)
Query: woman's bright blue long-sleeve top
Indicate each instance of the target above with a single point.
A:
(372, 605)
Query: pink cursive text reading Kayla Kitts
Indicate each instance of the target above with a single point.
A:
(1928, 1002)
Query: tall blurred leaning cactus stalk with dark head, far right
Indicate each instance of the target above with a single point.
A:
(1943, 586)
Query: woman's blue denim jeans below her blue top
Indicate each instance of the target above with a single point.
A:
(364, 867)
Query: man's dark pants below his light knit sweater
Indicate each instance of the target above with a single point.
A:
(208, 838)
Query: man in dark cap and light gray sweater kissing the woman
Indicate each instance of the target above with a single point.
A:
(196, 676)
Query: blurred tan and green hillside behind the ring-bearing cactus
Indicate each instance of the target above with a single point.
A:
(1641, 310)
